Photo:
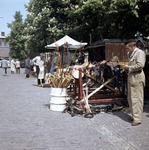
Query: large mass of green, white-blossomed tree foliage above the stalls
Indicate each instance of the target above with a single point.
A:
(49, 19)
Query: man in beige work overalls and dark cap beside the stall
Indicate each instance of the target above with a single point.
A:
(136, 81)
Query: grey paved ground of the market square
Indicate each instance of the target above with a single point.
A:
(26, 122)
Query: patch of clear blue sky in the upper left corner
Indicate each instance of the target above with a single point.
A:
(7, 11)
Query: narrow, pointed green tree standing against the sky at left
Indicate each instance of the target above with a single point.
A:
(15, 39)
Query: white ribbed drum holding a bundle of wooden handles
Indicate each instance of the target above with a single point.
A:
(58, 99)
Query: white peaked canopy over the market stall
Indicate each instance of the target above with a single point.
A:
(67, 41)
